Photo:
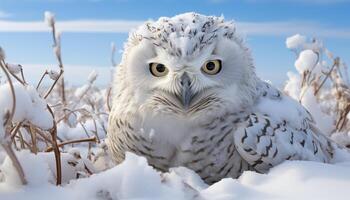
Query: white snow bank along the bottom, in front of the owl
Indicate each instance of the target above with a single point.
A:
(135, 179)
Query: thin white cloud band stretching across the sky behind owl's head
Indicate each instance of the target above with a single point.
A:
(283, 28)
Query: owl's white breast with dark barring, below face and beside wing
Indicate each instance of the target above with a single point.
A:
(208, 148)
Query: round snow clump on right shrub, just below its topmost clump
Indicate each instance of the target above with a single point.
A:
(306, 61)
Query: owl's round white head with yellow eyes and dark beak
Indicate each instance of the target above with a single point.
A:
(185, 65)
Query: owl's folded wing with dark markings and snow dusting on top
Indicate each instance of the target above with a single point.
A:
(279, 129)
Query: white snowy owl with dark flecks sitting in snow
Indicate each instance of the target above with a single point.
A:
(186, 94)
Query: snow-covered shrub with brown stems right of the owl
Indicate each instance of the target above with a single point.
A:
(321, 85)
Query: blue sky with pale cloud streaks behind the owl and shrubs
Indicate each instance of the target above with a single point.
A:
(89, 26)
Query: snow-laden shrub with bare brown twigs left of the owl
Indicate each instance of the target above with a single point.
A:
(65, 126)
